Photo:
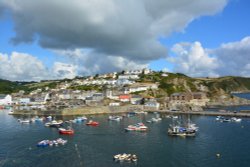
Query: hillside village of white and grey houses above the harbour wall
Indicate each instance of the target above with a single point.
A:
(117, 90)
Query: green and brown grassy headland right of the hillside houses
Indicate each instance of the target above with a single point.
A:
(178, 82)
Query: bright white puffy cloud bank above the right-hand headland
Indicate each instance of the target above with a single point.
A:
(228, 59)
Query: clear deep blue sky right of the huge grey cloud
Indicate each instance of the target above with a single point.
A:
(226, 26)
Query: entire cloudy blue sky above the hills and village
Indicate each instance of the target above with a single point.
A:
(59, 39)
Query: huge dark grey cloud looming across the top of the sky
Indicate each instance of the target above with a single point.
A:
(117, 28)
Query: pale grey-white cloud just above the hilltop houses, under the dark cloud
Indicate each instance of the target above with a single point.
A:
(89, 62)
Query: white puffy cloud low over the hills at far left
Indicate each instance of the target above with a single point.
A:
(25, 67)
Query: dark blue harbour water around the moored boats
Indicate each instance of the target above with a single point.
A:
(95, 146)
